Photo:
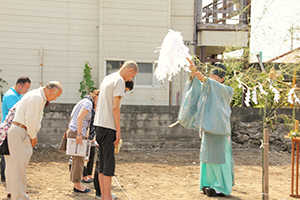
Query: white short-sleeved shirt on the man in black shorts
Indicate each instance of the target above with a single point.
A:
(112, 86)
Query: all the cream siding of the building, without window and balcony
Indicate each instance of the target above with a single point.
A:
(70, 32)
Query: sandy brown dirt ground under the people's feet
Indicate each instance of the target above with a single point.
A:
(159, 174)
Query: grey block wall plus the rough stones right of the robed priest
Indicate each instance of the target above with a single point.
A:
(148, 126)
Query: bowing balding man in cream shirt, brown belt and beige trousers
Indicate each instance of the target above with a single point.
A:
(22, 135)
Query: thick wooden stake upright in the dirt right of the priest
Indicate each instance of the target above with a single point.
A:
(266, 164)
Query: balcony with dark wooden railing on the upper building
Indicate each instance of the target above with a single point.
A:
(221, 24)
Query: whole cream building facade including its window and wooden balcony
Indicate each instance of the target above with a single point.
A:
(53, 39)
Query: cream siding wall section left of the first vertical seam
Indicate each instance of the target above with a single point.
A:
(65, 31)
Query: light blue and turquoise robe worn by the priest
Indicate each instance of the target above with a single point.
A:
(205, 108)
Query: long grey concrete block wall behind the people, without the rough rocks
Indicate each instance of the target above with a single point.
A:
(140, 124)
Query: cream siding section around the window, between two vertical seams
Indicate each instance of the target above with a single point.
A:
(132, 30)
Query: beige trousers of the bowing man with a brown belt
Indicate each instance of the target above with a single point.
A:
(20, 152)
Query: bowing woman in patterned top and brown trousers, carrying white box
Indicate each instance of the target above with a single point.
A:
(81, 117)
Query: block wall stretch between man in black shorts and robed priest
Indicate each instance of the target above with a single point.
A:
(151, 123)
